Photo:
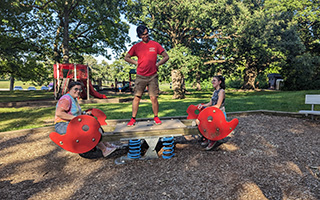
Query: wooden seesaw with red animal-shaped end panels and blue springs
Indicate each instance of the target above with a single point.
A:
(84, 132)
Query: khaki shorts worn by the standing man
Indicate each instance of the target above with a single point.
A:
(142, 82)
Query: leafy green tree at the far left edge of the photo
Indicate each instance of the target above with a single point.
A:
(21, 52)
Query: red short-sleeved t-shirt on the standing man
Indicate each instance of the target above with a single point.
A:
(147, 57)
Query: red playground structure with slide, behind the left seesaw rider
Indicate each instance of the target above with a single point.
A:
(64, 73)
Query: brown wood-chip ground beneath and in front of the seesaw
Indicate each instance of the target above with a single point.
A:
(268, 157)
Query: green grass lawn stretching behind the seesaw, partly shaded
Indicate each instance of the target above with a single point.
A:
(22, 118)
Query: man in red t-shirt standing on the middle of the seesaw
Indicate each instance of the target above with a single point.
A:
(147, 67)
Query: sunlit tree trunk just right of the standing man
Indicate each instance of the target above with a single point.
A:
(177, 84)
